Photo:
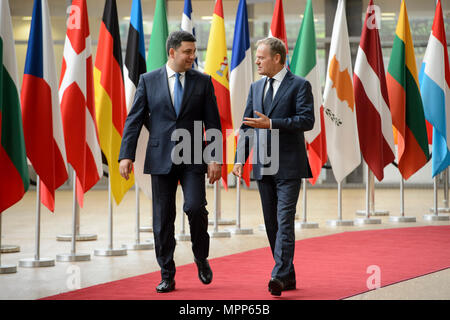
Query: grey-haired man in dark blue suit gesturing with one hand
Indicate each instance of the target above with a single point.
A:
(279, 109)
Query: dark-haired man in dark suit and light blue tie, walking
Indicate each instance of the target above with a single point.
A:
(170, 100)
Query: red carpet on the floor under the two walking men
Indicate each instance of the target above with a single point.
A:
(329, 267)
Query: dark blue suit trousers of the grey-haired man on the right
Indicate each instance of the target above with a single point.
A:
(279, 200)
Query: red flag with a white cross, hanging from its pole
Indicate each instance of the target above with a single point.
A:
(76, 93)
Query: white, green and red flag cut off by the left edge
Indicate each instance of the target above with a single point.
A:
(14, 179)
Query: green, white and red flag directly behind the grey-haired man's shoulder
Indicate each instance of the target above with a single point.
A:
(304, 64)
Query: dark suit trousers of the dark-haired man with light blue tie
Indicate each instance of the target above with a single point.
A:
(164, 192)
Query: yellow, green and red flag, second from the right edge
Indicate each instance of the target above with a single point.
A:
(406, 103)
